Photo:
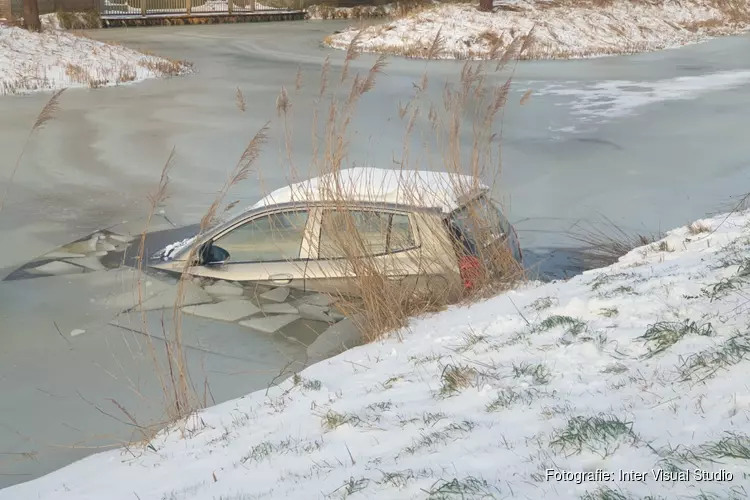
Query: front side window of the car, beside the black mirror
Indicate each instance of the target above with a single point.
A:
(270, 238)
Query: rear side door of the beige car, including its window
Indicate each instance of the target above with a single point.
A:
(355, 241)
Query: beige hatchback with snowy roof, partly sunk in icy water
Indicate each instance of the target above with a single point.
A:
(419, 228)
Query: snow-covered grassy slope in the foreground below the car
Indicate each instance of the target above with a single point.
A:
(611, 385)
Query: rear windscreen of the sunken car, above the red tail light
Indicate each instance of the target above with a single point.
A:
(479, 222)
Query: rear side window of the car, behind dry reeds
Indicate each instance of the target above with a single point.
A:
(359, 233)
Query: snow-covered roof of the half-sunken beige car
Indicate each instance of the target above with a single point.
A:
(411, 188)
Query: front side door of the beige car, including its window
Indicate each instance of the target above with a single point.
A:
(272, 248)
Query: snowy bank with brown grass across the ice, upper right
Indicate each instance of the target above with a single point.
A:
(561, 29)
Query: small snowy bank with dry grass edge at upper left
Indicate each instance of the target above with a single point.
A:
(56, 59)
